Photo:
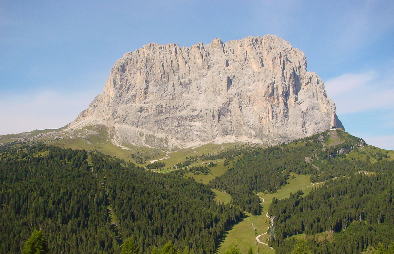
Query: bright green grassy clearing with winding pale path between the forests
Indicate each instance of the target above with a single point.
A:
(244, 233)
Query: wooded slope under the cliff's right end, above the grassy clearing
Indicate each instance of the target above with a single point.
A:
(266, 169)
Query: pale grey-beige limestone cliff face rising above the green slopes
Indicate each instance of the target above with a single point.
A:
(256, 89)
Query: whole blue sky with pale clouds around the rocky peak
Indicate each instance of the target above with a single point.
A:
(56, 55)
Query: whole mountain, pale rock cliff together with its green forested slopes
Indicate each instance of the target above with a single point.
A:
(311, 190)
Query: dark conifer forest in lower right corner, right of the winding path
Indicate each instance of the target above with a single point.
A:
(343, 216)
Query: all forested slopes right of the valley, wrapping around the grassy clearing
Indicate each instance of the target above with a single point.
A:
(351, 208)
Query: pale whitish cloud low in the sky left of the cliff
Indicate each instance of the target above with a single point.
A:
(42, 110)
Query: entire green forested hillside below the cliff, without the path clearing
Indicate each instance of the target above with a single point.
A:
(87, 202)
